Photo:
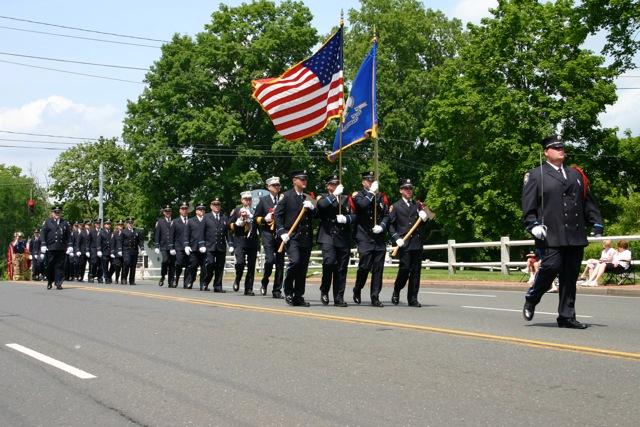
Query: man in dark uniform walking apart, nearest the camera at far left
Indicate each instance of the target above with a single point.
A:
(56, 243)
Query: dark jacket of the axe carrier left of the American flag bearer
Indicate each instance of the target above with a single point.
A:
(286, 214)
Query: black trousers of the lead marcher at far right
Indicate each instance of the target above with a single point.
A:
(563, 262)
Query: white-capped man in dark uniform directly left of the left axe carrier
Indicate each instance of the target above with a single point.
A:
(265, 218)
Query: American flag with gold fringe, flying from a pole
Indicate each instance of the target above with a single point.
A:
(301, 101)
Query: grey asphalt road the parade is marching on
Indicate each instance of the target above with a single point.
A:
(174, 357)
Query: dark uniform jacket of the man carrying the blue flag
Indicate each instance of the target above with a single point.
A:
(365, 237)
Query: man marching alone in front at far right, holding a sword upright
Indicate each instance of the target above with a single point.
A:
(557, 206)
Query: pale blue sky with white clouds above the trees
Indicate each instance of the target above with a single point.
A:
(39, 101)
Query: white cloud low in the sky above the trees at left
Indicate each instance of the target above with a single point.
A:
(55, 115)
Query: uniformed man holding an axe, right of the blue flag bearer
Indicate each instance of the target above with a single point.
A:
(403, 214)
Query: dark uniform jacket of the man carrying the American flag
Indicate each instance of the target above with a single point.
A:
(330, 231)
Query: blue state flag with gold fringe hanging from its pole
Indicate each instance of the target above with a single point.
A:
(360, 120)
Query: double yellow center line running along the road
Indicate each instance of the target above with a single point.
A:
(595, 351)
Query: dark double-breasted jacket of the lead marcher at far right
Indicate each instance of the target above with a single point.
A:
(568, 207)
